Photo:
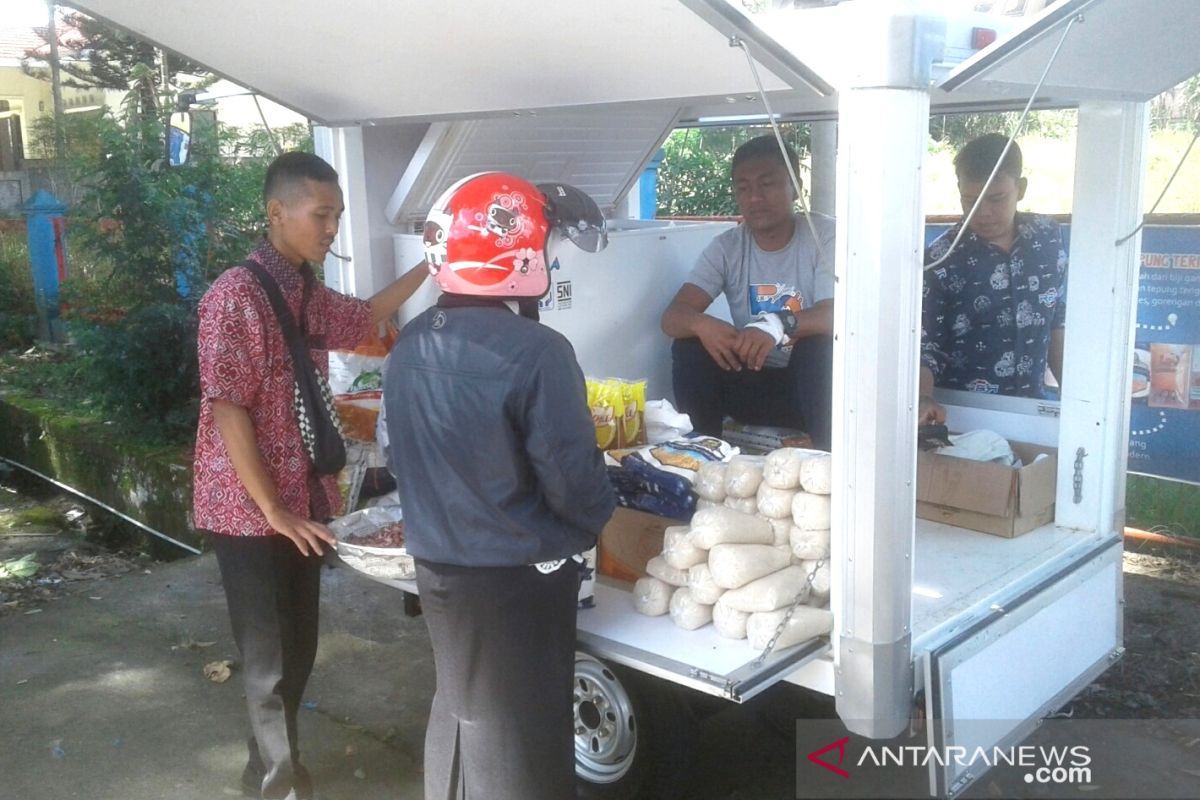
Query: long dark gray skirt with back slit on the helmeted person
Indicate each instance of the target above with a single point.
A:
(501, 727)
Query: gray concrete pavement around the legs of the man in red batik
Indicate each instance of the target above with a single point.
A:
(103, 694)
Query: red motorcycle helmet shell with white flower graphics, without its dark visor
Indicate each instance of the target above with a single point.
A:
(487, 237)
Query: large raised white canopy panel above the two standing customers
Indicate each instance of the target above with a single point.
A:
(361, 61)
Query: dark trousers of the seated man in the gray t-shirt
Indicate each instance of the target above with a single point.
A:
(800, 396)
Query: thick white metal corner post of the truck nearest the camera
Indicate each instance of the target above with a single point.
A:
(878, 339)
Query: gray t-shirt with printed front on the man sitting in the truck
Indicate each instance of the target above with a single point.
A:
(755, 280)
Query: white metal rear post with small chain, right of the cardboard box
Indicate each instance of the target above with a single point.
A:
(1094, 435)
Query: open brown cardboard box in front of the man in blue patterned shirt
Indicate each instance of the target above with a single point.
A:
(987, 497)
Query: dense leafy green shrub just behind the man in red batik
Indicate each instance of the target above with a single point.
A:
(145, 230)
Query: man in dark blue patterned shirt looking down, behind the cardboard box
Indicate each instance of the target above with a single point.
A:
(994, 309)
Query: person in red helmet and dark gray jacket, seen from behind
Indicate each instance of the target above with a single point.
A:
(495, 456)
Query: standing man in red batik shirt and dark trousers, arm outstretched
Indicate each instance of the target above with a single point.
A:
(256, 491)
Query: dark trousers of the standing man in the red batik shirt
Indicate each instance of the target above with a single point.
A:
(273, 593)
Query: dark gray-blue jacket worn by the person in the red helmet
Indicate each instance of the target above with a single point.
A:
(491, 440)
